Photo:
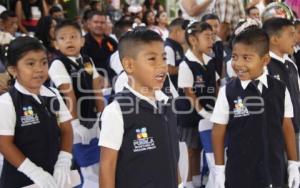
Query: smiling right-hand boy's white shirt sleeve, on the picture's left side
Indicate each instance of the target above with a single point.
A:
(221, 110)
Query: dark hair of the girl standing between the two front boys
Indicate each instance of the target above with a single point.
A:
(194, 28)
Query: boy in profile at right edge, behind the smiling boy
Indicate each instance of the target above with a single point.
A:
(282, 42)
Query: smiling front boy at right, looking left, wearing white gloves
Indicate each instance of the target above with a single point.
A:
(254, 111)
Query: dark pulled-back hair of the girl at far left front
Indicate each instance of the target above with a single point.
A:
(19, 47)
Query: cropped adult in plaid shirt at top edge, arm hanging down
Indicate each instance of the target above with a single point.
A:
(229, 12)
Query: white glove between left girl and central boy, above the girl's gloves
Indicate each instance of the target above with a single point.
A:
(80, 132)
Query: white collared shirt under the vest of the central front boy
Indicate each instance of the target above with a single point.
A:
(112, 127)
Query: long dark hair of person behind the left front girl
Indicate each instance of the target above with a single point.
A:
(43, 30)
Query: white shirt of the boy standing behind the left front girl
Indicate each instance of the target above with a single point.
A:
(59, 74)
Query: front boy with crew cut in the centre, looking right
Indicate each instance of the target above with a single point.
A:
(138, 139)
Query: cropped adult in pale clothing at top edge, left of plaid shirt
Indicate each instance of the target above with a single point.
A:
(195, 9)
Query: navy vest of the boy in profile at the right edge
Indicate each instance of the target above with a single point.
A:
(278, 70)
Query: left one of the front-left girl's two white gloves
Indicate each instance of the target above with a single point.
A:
(40, 177)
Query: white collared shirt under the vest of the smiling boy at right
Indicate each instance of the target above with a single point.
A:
(221, 110)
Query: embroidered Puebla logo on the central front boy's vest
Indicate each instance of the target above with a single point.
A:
(143, 142)
